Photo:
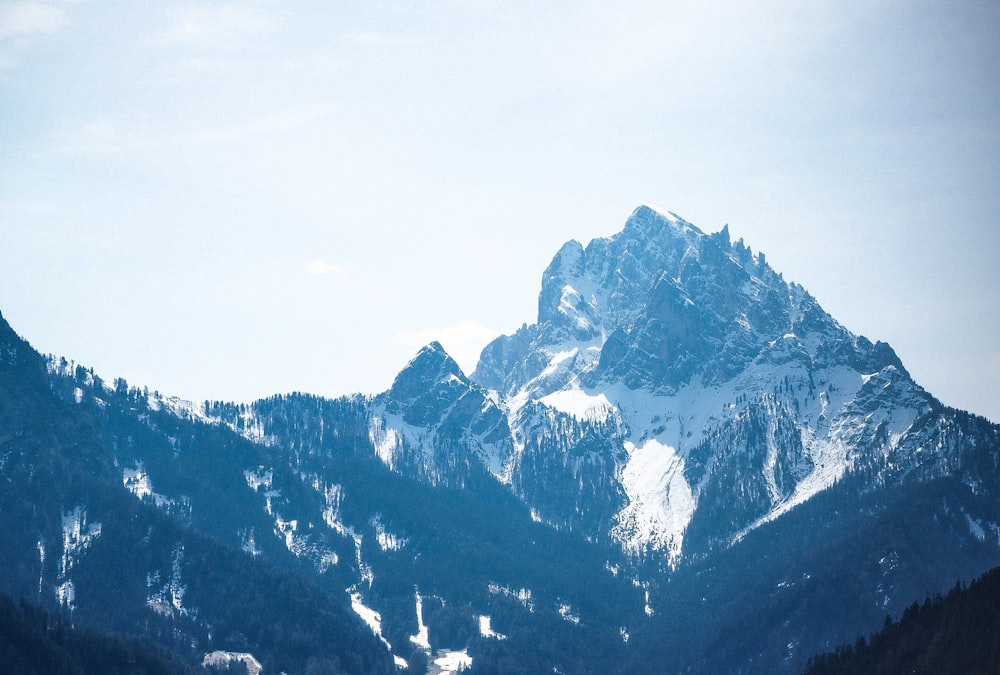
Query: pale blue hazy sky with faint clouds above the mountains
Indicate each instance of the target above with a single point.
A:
(229, 200)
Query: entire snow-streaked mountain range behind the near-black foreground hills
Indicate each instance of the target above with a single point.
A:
(684, 465)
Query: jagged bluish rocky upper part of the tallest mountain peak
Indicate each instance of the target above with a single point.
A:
(655, 305)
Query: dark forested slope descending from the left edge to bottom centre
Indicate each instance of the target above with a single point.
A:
(76, 540)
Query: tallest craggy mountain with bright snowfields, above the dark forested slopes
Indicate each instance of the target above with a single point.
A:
(710, 394)
